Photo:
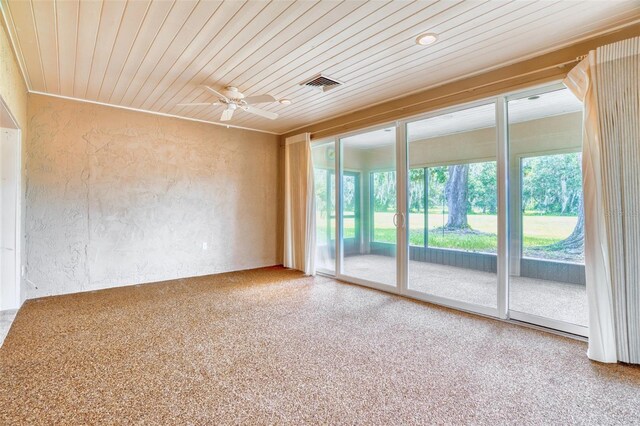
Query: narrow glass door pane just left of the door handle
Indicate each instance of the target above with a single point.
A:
(369, 206)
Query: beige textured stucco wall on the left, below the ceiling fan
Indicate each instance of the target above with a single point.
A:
(116, 197)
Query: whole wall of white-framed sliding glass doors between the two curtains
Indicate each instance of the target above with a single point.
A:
(477, 207)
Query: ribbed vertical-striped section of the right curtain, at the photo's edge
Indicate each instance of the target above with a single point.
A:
(618, 97)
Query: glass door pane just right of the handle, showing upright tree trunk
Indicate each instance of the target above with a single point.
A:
(452, 206)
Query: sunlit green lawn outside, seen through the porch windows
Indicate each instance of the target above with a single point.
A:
(538, 230)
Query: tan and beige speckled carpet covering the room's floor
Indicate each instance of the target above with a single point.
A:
(270, 346)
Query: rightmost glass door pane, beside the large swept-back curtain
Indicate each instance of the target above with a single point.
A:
(547, 282)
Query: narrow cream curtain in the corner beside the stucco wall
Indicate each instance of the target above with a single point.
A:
(299, 205)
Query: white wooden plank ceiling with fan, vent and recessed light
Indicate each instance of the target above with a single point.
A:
(152, 55)
